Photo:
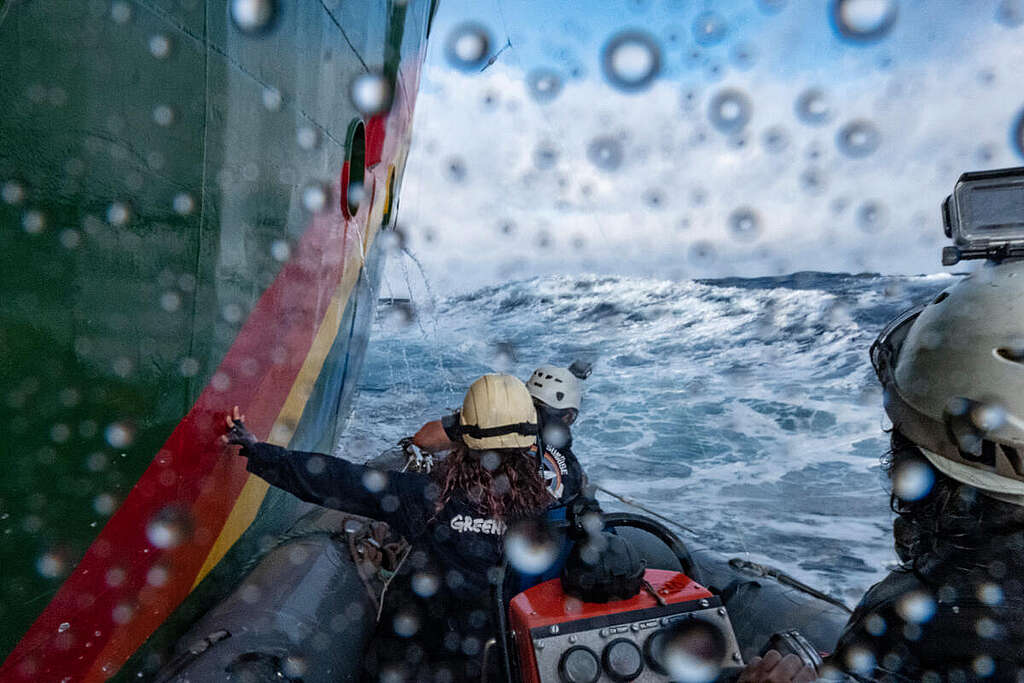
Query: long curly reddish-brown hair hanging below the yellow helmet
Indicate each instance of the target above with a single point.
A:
(504, 484)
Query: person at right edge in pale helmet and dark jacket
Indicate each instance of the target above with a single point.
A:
(954, 378)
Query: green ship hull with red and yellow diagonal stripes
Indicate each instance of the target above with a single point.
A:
(190, 222)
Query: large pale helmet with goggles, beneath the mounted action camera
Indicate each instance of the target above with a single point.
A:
(954, 379)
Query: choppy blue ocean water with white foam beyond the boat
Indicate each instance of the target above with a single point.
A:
(745, 409)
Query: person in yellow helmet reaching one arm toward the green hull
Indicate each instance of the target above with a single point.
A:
(438, 617)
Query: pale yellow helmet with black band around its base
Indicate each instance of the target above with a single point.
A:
(498, 413)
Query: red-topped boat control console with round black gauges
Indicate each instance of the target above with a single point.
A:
(561, 639)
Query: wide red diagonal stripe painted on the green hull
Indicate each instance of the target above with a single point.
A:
(108, 605)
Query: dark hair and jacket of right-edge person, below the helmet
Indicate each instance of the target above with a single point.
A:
(955, 609)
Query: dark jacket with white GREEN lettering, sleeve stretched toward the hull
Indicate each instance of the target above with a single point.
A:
(438, 611)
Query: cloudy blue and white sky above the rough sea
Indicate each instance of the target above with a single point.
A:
(776, 137)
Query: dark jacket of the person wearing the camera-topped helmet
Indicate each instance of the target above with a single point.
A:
(960, 617)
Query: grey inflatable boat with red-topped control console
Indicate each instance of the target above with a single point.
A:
(307, 610)
